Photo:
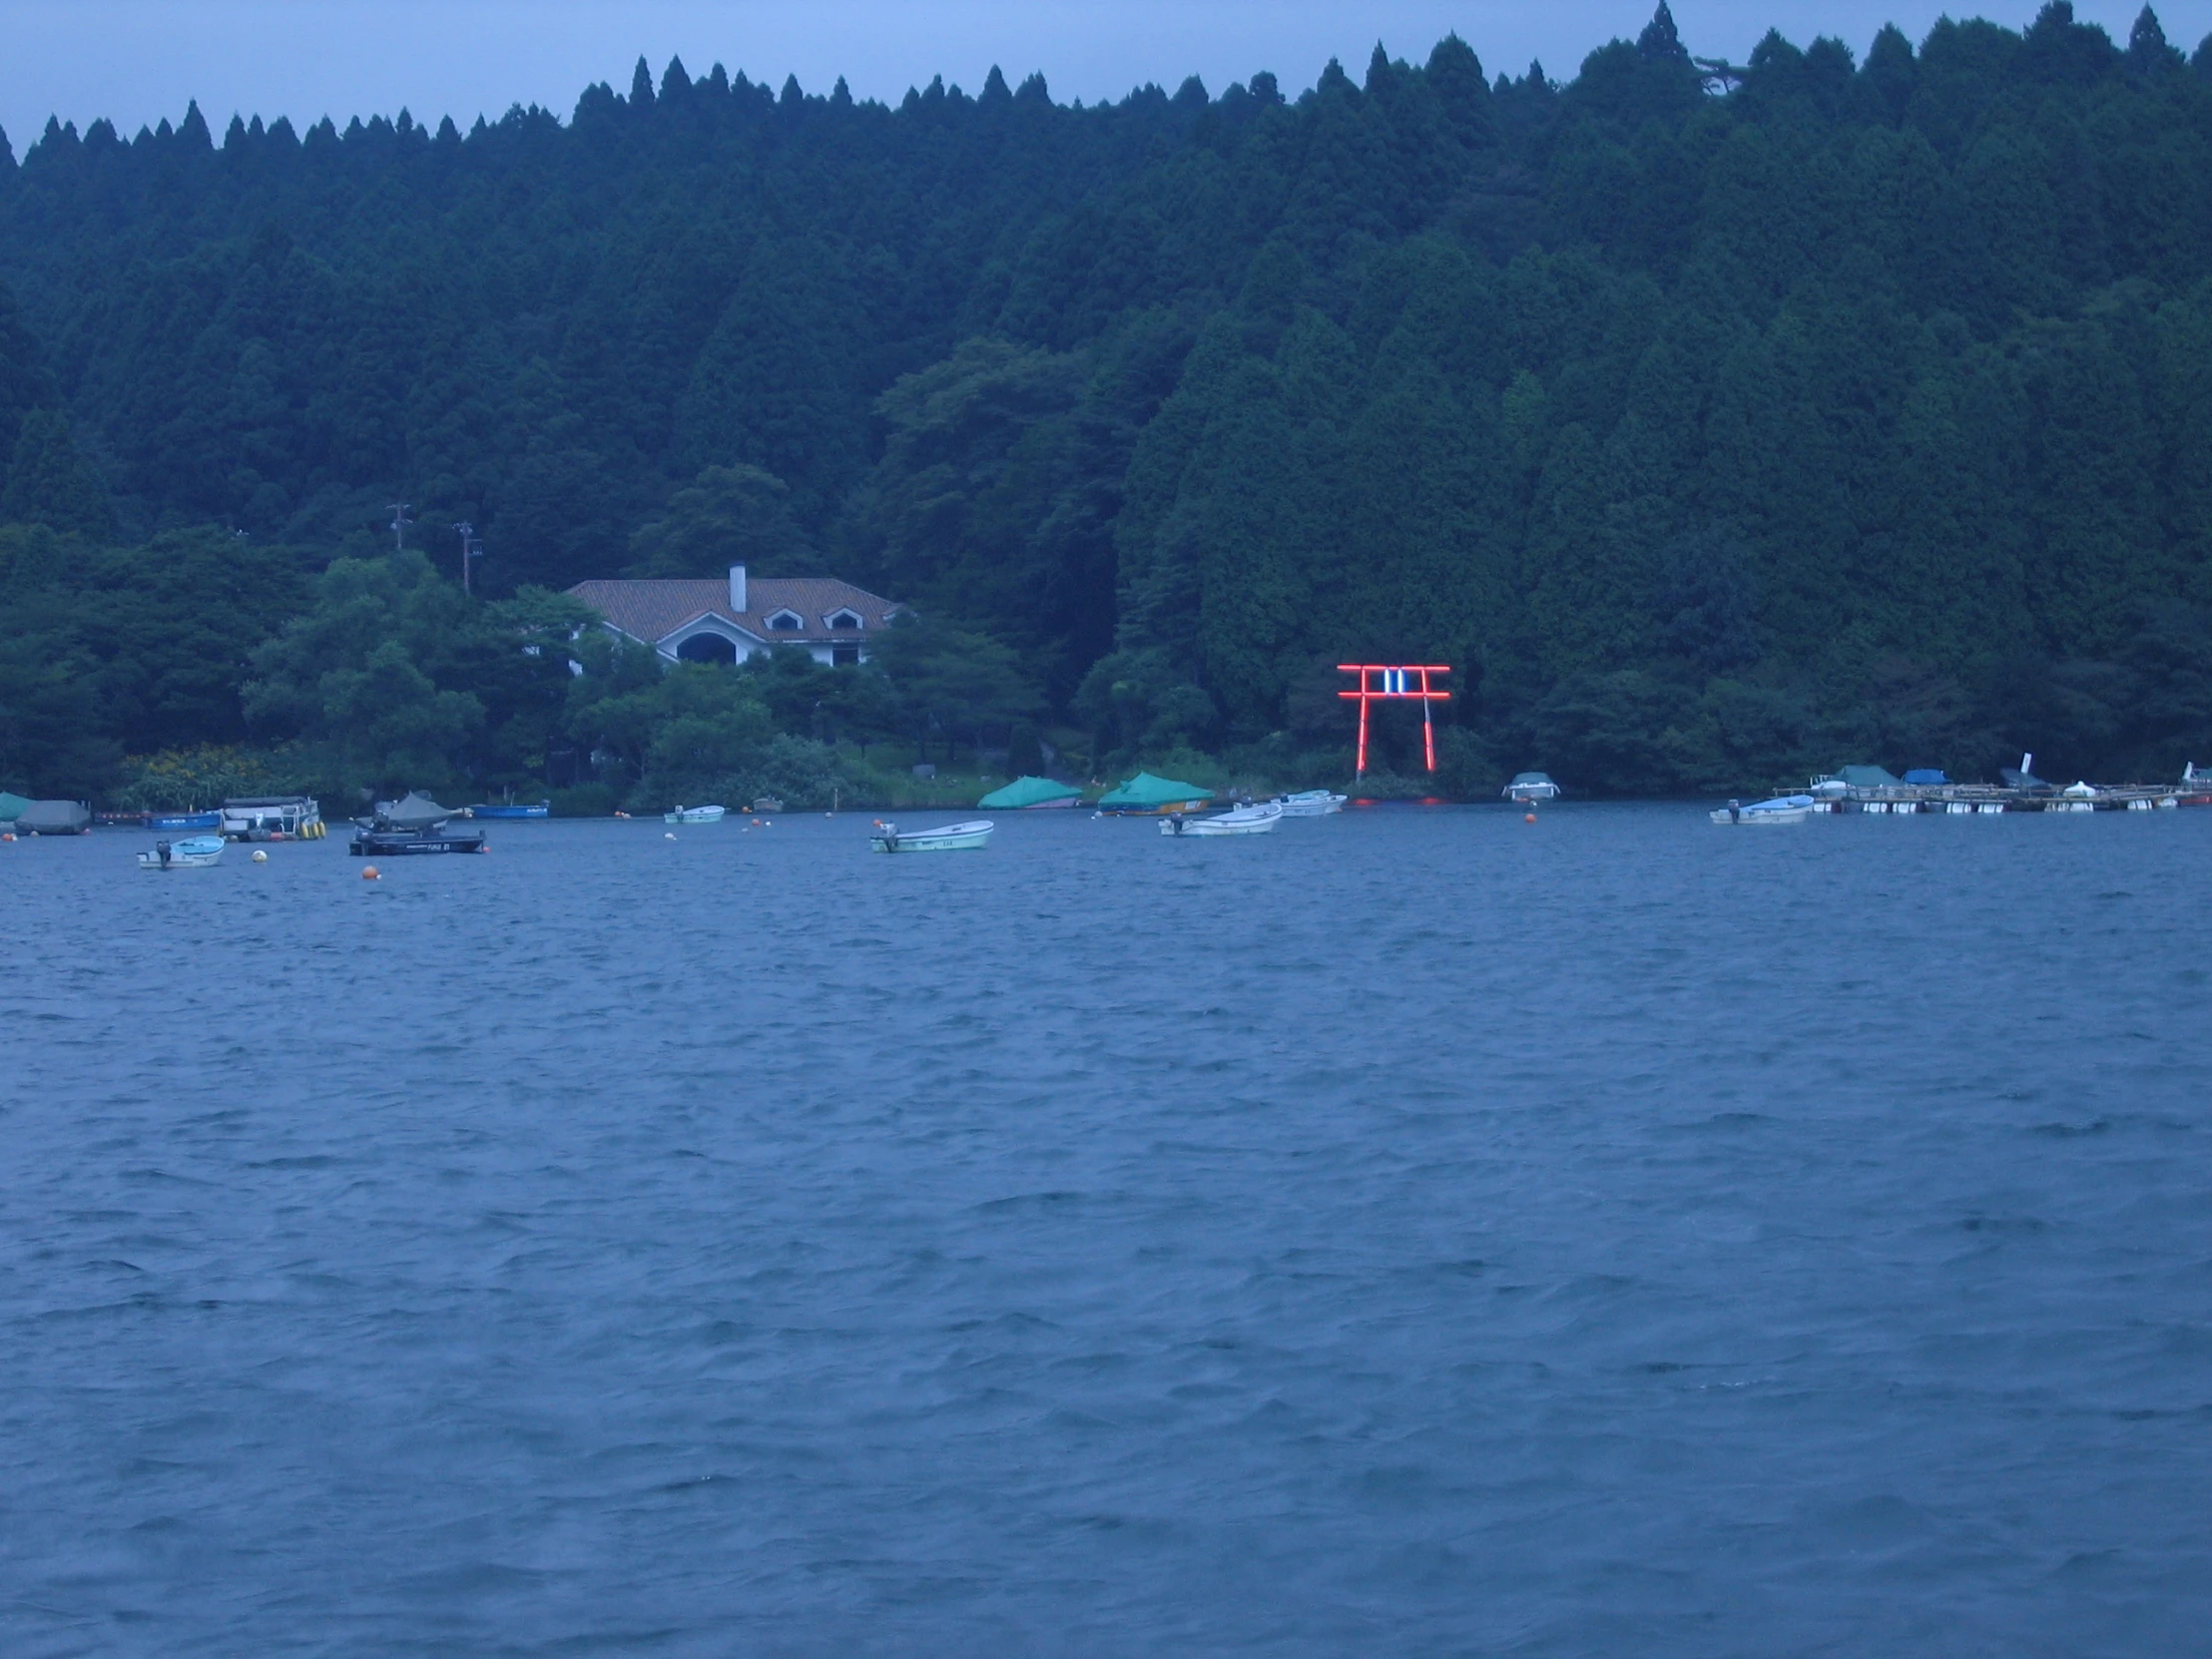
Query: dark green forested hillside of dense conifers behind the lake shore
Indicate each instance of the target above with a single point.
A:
(1713, 424)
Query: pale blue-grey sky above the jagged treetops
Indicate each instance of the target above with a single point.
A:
(138, 61)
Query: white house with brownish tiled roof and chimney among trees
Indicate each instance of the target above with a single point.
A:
(713, 620)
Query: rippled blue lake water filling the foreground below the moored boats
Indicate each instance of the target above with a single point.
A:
(1412, 1233)
